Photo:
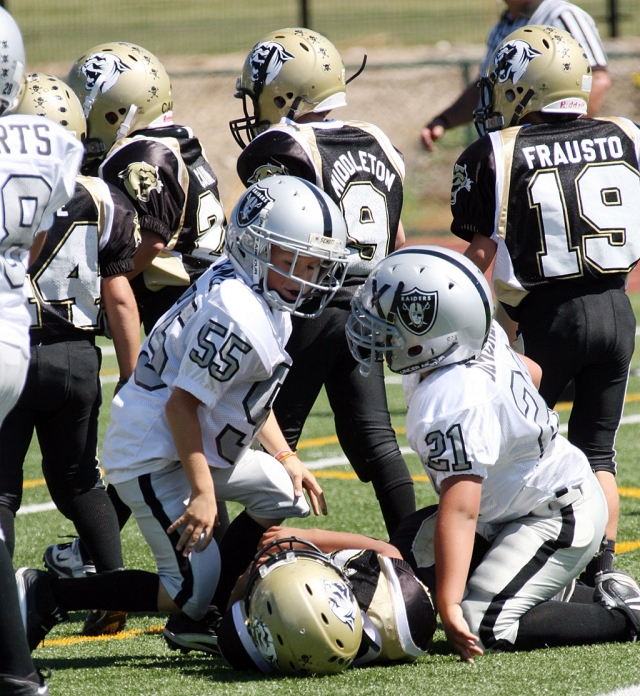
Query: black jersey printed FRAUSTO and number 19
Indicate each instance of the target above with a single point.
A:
(561, 200)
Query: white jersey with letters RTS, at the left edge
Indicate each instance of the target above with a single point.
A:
(39, 161)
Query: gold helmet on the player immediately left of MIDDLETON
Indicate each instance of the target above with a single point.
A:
(122, 88)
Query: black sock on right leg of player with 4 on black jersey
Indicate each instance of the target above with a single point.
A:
(96, 522)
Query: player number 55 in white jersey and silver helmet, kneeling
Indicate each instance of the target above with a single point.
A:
(201, 392)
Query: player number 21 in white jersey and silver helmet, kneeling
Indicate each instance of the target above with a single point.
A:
(491, 447)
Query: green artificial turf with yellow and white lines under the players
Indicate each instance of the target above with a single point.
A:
(138, 662)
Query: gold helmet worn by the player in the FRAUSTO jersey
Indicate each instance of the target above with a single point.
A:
(536, 68)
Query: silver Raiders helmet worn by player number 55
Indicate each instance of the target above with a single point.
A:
(296, 216)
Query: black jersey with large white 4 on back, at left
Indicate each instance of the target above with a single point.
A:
(93, 236)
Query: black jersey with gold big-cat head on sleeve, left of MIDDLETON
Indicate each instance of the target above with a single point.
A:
(165, 173)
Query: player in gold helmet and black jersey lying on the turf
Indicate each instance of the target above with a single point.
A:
(303, 608)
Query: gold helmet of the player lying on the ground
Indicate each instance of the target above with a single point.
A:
(299, 615)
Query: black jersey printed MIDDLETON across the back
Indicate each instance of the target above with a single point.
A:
(354, 163)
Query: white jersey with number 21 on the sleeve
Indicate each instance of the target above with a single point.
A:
(486, 418)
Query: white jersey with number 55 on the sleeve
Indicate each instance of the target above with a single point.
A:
(220, 342)
